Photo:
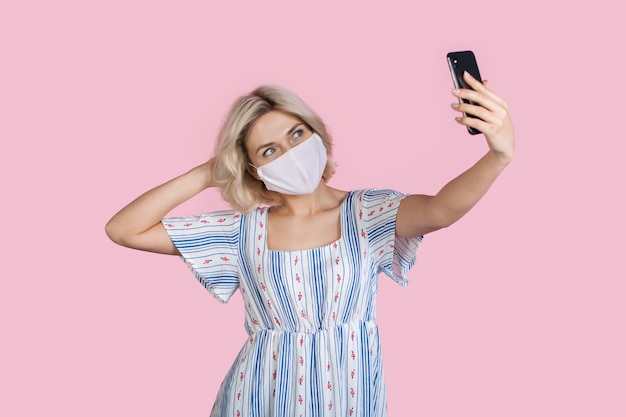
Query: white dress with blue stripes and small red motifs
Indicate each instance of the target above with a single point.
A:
(313, 347)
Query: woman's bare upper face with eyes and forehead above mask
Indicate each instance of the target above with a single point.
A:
(273, 134)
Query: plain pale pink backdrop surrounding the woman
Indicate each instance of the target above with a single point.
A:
(517, 310)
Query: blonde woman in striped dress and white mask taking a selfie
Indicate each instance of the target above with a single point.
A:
(307, 265)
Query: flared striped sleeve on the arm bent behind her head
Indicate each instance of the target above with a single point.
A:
(209, 246)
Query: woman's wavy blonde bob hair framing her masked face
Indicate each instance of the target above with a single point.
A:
(229, 165)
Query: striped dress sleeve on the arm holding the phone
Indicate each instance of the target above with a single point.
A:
(392, 255)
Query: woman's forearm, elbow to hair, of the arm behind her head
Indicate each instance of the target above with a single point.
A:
(147, 210)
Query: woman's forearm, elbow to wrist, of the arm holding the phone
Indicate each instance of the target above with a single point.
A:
(457, 197)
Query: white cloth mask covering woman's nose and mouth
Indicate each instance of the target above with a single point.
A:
(298, 171)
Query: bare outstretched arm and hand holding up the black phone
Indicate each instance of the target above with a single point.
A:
(421, 214)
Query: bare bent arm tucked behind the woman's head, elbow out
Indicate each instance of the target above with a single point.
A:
(138, 225)
